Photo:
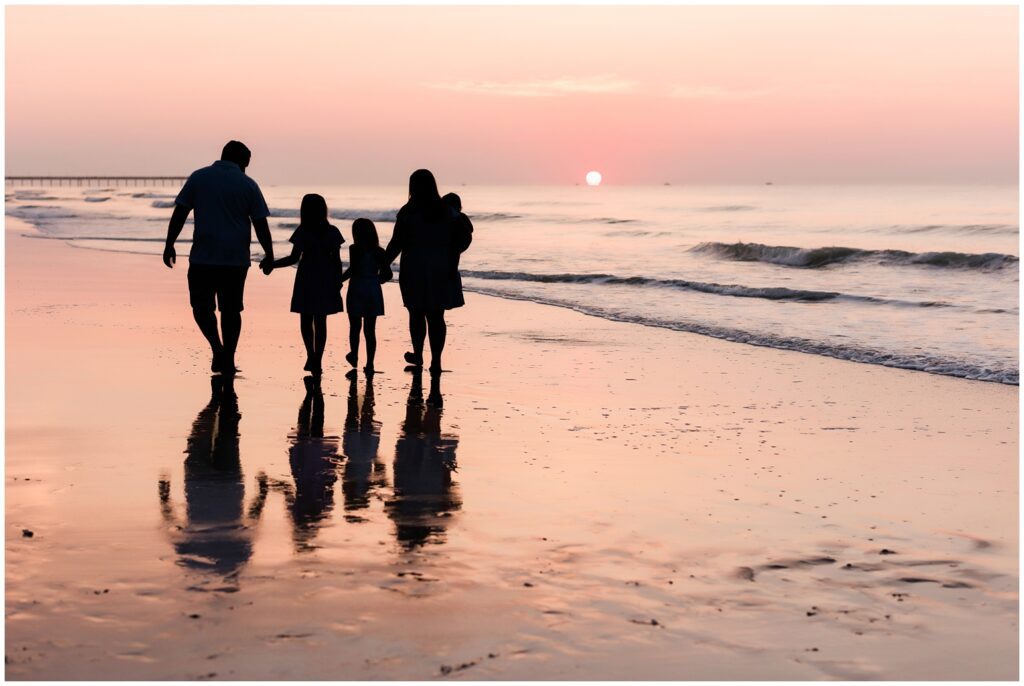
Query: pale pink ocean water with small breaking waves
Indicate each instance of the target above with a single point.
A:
(920, 278)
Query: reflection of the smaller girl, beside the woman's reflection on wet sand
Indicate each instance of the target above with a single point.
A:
(364, 470)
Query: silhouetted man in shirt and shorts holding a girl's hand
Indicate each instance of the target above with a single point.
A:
(226, 202)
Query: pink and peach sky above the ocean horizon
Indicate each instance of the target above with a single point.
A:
(519, 95)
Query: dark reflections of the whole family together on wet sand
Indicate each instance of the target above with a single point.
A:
(214, 531)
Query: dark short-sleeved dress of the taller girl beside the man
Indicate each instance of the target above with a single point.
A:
(318, 280)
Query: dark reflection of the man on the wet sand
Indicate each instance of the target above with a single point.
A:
(217, 534)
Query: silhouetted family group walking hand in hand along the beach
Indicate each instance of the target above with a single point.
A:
(431, 233)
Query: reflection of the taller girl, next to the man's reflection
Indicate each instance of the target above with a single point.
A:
(314, 459)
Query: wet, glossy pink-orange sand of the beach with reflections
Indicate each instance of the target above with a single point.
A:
(595, 501)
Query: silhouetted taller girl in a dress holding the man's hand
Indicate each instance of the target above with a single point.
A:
(317, 247)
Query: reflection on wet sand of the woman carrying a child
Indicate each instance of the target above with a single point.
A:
(424, 460)
